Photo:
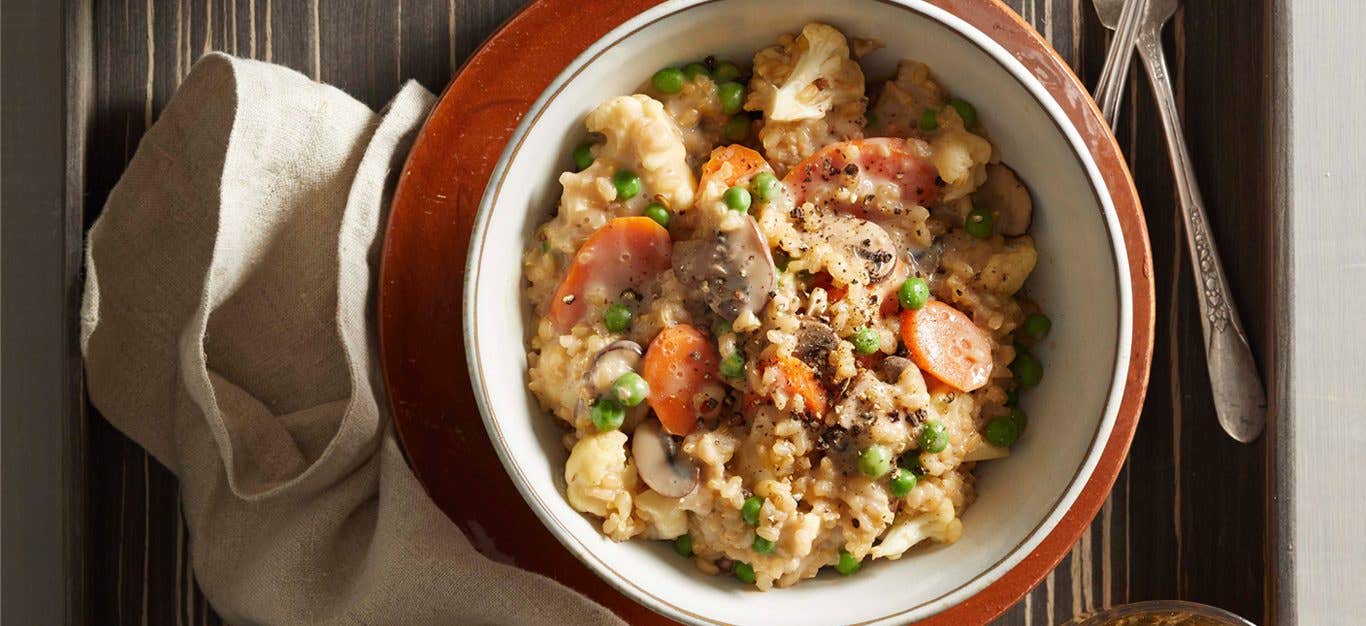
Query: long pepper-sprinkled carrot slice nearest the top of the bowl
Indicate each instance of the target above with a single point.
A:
(883, 159)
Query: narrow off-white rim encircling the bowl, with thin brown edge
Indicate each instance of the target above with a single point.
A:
(1080, 151)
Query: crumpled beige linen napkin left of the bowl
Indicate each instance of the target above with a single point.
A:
(227, 327)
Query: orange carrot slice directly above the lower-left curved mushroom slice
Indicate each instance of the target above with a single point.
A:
(678, 364)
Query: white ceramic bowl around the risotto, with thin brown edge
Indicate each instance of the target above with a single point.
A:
(1081, 281)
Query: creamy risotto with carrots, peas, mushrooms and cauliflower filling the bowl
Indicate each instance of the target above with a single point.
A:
(779, 311)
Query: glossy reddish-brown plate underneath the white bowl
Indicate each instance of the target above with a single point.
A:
(424, 259)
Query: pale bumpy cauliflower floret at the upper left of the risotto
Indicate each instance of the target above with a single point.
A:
(643, 137)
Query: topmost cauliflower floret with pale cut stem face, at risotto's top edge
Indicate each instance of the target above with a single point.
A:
(811, 92)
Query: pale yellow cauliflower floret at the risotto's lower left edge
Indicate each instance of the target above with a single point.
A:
(600, 482)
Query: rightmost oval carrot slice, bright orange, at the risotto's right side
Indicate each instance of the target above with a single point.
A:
(946, 344)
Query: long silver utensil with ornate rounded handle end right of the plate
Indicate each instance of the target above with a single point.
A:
(1240, 397)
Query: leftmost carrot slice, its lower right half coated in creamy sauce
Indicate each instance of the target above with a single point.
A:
(626, 254)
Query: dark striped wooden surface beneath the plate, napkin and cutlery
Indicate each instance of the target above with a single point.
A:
(1188, 516)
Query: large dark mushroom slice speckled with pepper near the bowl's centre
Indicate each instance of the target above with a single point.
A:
(731, 271)
